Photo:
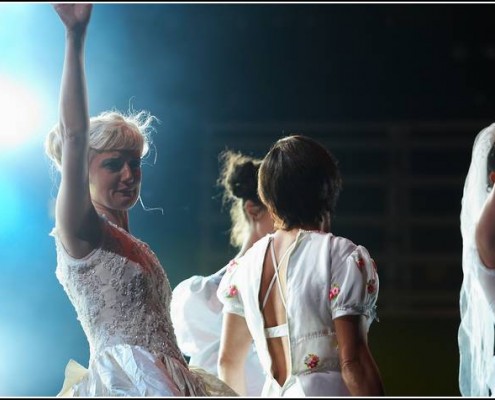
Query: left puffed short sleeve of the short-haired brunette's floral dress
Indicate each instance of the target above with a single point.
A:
(228, 290)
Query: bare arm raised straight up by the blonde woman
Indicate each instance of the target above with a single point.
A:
(76, 217)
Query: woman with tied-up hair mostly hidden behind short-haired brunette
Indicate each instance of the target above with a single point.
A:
(195, 309)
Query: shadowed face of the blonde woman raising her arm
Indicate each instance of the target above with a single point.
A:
(115, 178)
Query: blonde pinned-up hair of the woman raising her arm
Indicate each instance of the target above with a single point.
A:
(110, 130)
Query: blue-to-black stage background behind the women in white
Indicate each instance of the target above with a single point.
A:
(396, 91)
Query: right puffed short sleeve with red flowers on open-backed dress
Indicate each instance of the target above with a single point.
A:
(354, 286)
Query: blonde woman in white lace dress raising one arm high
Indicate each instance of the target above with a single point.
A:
(119, 290)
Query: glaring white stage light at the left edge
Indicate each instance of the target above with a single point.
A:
(20, 113)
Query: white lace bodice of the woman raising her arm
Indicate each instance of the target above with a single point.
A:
(121, 294)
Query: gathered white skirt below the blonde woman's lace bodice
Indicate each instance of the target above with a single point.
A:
(132, 371)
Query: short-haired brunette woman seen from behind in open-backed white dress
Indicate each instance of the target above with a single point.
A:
(305, 296)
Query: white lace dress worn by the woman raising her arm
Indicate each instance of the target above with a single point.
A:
(122, 296)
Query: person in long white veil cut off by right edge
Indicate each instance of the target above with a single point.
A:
(477, 294)
